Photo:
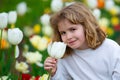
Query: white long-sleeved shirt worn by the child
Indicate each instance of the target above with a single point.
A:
(102, 63)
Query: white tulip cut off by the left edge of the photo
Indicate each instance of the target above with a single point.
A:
(3, 20)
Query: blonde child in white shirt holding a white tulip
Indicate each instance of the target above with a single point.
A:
(89, 54)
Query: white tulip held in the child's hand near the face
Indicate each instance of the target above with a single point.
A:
(56, 49)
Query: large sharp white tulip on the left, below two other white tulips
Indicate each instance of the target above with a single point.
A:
(15, 36)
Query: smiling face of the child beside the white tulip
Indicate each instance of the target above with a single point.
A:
(72, 34)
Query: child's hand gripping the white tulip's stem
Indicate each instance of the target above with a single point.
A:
(50, 64)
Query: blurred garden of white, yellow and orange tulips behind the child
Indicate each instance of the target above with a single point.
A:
(33, 20)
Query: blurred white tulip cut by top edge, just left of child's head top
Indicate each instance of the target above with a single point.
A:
(56, 5)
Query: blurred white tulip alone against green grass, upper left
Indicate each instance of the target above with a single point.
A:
(21, 8)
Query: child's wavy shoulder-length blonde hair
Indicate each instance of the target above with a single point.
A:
(78, 13)
